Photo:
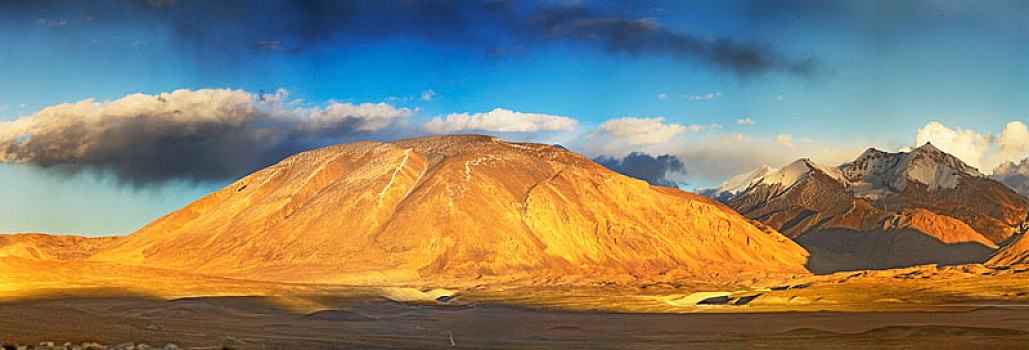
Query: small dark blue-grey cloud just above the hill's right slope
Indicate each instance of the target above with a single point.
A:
(654, 170)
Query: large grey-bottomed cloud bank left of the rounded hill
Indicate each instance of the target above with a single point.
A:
(196, 135)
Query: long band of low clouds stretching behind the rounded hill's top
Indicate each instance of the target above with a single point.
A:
(224, 134)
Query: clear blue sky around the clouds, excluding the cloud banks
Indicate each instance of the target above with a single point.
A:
(882, 72)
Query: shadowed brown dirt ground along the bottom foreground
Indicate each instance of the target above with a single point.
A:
(254, 323)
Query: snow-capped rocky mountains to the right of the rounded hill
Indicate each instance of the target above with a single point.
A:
(886, 211)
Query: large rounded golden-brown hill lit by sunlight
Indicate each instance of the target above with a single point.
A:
(452, 207)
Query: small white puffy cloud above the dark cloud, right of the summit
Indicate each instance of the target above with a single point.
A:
(644, 131)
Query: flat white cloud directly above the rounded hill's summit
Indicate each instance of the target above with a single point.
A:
(500, 121)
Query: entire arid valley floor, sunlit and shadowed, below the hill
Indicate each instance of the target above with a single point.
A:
(950, 308)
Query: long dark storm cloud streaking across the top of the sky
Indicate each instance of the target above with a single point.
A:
(233, 29)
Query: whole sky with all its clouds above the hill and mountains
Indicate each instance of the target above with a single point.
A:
(114, 114)
